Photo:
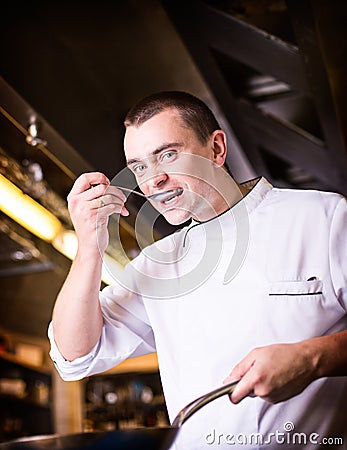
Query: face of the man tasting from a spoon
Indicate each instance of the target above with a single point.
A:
(165, 154)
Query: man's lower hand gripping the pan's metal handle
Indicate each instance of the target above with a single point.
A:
(275, 372)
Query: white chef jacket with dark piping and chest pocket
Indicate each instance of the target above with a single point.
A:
(272, 269)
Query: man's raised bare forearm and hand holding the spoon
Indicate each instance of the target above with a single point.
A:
(77, 316)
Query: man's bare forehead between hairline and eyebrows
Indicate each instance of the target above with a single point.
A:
(163, 128)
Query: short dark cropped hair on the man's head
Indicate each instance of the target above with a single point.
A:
(193, 112)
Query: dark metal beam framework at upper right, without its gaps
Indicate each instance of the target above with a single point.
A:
(203, 28)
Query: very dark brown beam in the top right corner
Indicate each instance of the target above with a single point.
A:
(321, 35)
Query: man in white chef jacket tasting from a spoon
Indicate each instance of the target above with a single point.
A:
(252, 288)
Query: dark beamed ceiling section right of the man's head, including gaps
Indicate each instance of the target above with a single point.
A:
(277, 69)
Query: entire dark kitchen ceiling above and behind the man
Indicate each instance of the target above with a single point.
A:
(272, 70)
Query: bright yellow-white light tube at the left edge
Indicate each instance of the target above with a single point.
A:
(27, 212)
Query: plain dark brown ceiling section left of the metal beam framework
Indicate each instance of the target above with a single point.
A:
(76, 67)
